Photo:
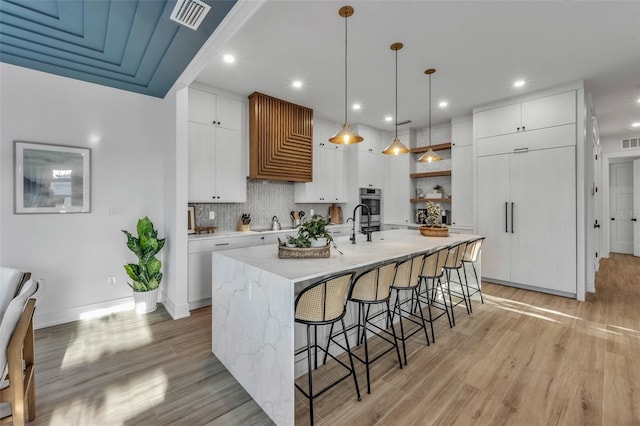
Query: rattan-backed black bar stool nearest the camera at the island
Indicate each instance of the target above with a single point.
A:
(324, 303)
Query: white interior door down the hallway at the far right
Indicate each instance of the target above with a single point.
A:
(621, 207)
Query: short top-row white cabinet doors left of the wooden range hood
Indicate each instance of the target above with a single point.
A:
(208, 108)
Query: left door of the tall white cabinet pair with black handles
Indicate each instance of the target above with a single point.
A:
(493, 218)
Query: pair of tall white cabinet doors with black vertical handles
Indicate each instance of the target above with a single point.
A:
(527, 212)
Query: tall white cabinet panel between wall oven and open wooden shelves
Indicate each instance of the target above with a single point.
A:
(396, 189)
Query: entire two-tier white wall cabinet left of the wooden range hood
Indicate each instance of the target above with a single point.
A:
(216, 154)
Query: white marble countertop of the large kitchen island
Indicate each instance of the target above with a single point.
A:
(386, 245)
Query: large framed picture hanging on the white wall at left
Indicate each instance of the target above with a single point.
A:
(51, 178)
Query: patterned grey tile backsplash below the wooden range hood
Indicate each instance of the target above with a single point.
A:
(265, 199)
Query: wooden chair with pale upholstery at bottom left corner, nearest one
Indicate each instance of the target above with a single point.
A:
(18, 375)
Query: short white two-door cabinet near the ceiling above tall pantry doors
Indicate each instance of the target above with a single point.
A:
(543, 112)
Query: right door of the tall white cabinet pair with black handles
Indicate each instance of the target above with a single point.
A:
(543, 242)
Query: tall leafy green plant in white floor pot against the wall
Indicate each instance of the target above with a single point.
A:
(146, 273)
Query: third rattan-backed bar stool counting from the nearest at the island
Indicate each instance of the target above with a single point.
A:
(407, 279)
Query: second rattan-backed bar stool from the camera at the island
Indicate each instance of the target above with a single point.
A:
(371, 288)
